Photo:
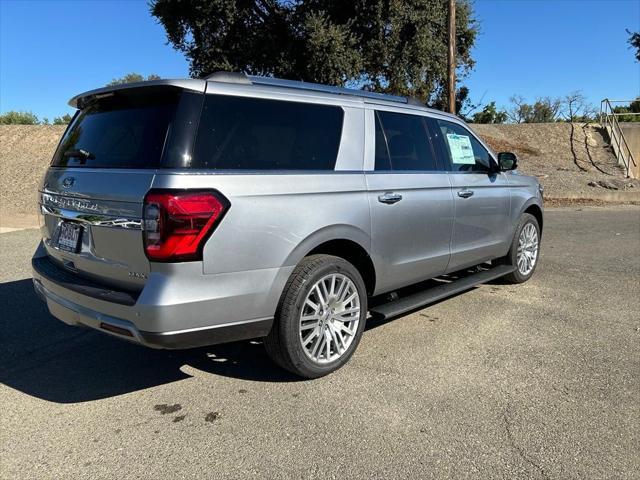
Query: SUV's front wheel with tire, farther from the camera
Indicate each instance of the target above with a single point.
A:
(524, 251)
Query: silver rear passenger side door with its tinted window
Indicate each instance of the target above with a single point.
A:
(410, 201)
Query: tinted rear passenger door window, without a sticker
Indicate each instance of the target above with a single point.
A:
(402, 143)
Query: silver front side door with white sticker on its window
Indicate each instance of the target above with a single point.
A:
(481, 197)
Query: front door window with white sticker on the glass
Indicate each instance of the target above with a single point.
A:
(466, 154)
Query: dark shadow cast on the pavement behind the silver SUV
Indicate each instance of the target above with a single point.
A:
(44, 358)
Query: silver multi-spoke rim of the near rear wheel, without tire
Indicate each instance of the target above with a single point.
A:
(330, 317)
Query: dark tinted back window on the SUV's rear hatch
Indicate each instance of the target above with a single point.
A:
(124, 130)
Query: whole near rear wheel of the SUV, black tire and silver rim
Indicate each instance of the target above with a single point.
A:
(300, 315)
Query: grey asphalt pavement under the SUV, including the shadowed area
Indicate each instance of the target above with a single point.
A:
(540, 380)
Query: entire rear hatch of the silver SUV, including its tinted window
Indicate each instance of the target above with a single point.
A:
(92, 195)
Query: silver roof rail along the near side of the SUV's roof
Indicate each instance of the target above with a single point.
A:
(238, 77)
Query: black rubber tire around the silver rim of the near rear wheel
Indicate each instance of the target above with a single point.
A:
(283, 343)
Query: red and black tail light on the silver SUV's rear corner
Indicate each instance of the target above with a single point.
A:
(177, 224)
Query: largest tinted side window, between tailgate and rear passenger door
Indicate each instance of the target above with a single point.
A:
(237, 133)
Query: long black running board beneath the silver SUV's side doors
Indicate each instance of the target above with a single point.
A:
(411, 302)
